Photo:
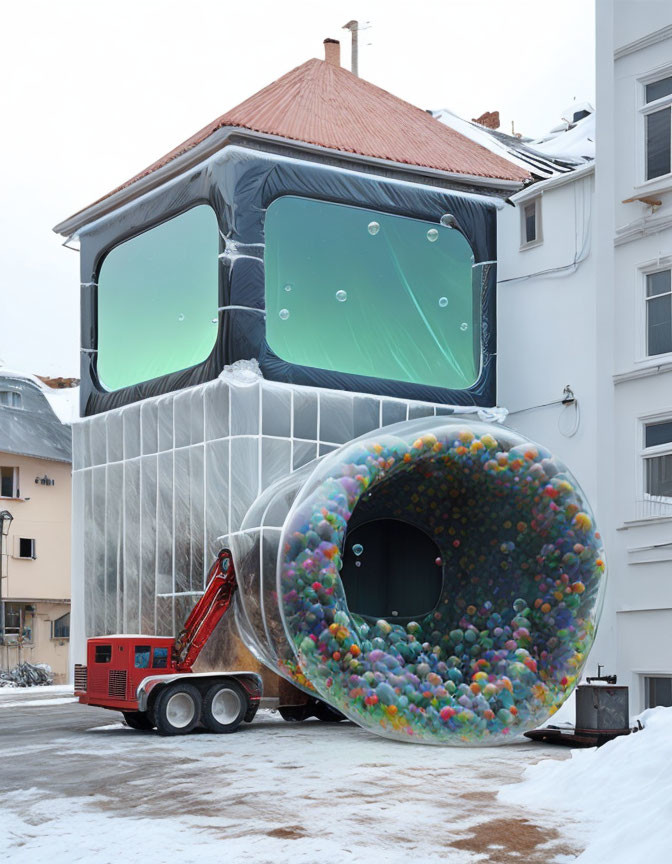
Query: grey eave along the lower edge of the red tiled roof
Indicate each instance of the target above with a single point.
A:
(218, 140)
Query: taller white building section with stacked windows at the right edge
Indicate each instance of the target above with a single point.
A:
(634, 264)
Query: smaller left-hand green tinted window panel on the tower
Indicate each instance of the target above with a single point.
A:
(157, 300)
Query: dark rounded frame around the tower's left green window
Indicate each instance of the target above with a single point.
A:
(120, 240)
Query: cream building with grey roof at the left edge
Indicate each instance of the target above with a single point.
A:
(36, 492)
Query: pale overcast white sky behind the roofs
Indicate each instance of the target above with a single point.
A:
(92, 92)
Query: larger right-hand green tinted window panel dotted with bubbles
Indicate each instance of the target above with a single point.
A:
(368, 293)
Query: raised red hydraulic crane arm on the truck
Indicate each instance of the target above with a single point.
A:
(206, 613)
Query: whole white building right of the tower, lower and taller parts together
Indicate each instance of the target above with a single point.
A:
(585, 301)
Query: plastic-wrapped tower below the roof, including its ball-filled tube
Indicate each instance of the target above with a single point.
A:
(294, 355)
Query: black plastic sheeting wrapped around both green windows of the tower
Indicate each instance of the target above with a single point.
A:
(240, 184)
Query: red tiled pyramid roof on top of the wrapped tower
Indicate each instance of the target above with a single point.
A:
(326, 105)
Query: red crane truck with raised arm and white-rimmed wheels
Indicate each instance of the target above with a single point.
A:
(150, 678)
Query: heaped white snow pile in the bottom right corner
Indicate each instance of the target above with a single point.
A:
(618, 798)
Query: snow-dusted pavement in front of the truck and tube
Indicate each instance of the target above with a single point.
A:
(77, 785)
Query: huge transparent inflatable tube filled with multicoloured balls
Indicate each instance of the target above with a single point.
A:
(522, 581)
